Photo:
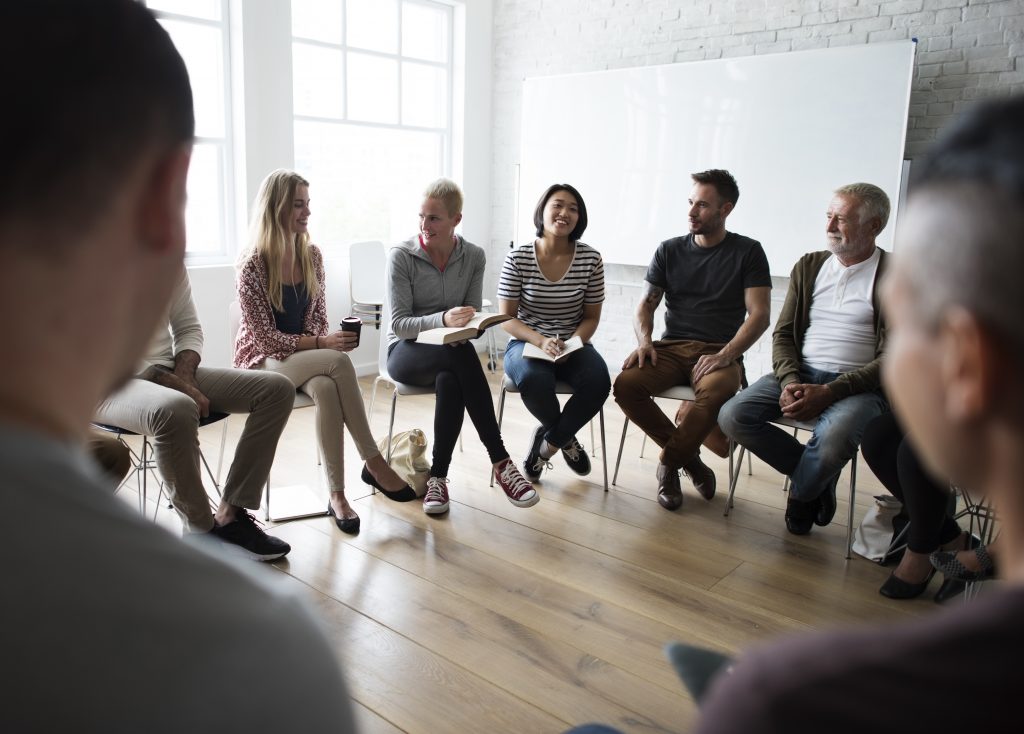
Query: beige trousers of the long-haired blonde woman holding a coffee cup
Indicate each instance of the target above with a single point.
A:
(329, 378)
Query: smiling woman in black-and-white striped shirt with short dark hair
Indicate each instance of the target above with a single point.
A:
(554, 287)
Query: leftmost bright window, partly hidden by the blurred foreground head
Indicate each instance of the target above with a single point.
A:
(199, 30)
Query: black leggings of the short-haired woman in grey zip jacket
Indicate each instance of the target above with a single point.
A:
(457, 377)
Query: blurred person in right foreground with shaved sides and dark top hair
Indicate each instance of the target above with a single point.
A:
(953, 370)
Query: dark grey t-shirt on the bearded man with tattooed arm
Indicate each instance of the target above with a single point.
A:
(704, 287)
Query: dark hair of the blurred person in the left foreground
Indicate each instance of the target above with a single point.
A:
(94, 87)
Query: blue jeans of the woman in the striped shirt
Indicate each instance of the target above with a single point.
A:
(584, 370)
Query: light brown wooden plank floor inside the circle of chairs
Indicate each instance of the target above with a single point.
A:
(498, 619)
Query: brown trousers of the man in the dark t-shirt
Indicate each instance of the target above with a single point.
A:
(635, 388)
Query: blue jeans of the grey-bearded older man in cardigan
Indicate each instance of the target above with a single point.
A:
(814, 468)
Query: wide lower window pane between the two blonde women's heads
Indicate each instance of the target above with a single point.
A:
(365, 183)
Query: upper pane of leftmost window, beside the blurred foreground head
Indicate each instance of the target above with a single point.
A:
(201, 49)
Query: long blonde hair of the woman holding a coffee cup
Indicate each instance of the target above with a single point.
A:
(269, 235)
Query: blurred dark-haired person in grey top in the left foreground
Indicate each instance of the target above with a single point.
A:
(109, 623)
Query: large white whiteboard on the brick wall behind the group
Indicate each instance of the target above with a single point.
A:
(791, 127)
